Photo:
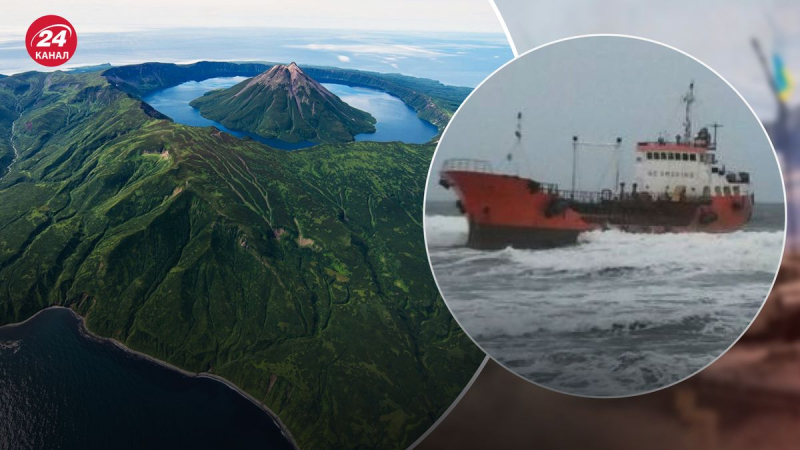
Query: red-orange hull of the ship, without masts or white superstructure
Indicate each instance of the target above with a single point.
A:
(506, 210)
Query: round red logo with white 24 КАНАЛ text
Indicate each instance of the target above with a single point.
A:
(51, 40)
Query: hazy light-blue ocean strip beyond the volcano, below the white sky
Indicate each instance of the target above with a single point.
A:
(459, 59)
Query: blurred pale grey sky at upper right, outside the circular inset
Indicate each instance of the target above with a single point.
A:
(716, 31)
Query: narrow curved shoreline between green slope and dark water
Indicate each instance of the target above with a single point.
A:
(84, 330)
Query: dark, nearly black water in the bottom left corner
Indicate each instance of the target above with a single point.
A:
(60, 389)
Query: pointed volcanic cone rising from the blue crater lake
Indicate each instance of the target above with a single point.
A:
(285, 103)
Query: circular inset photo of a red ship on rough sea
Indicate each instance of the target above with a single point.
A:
(605, 216)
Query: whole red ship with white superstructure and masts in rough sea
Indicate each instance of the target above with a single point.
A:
(679, 186)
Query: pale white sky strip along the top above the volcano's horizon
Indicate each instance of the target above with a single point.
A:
(120, 15)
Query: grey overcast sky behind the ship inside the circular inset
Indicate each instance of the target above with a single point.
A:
(600, 88)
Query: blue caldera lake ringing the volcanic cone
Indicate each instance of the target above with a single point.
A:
(396, 121)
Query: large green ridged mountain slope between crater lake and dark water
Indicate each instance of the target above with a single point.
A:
(299, 276)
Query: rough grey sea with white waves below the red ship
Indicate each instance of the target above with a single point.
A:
(617, 314)
